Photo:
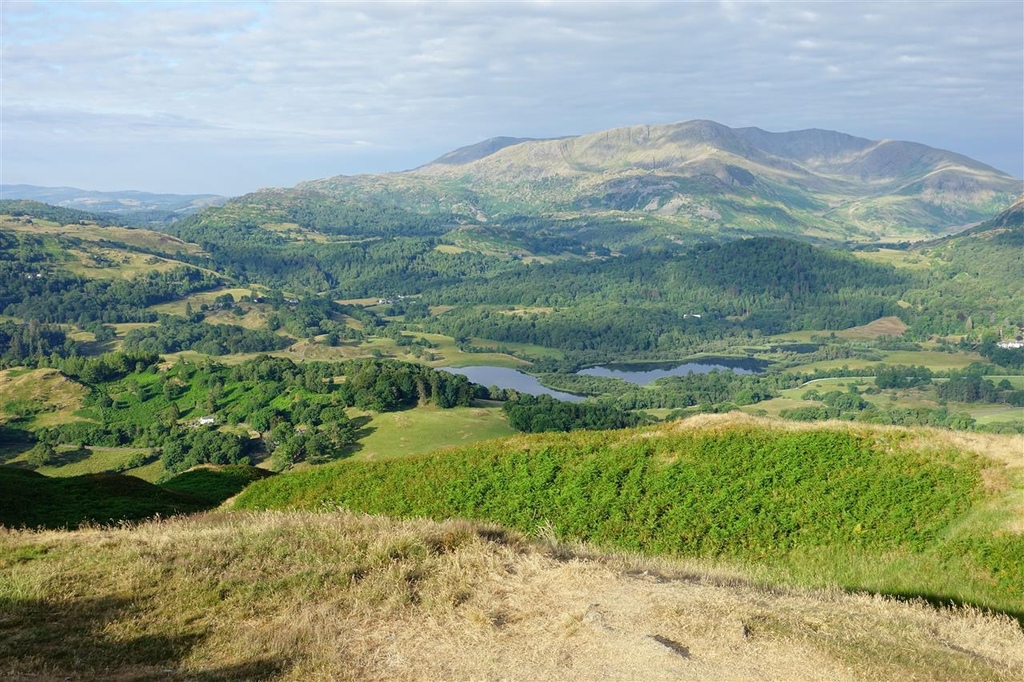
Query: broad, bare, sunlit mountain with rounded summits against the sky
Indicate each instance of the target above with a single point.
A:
(705, 177)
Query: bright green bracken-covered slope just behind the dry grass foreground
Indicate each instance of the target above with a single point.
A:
(895, 511)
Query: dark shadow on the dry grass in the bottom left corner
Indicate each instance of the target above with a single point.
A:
(74, 641)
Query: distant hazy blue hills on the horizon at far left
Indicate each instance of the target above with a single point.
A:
(112, 202)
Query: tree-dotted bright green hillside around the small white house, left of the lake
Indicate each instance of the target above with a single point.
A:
(297, 411)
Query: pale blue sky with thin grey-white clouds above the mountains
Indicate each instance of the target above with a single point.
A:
(228, 98)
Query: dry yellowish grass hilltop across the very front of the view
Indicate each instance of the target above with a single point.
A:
(345, 598)
